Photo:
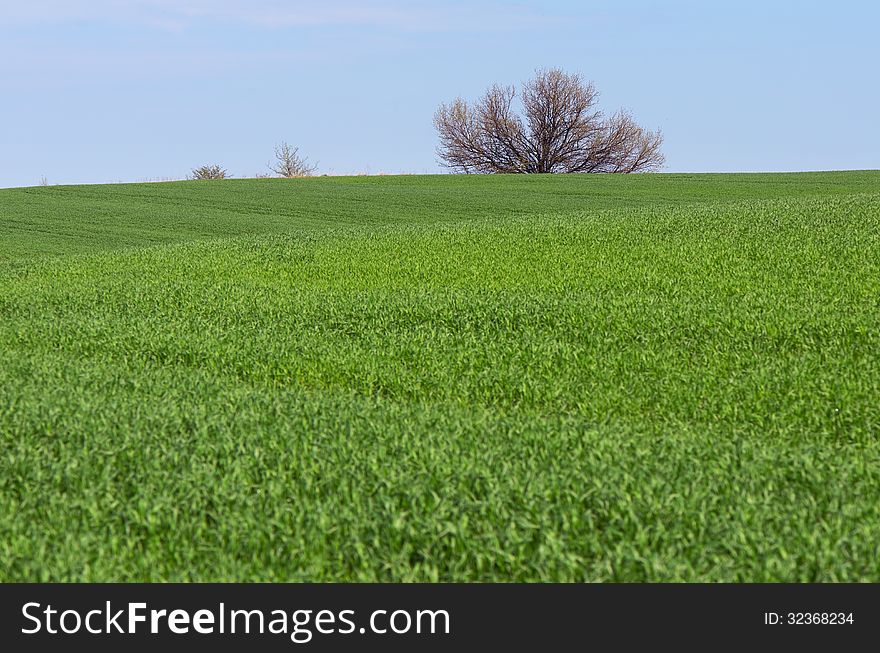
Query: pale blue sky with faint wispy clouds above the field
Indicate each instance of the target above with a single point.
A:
(107, 90)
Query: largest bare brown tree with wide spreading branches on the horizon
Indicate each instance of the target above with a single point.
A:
(560, 130)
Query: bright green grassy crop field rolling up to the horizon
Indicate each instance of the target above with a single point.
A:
(453, 378)
